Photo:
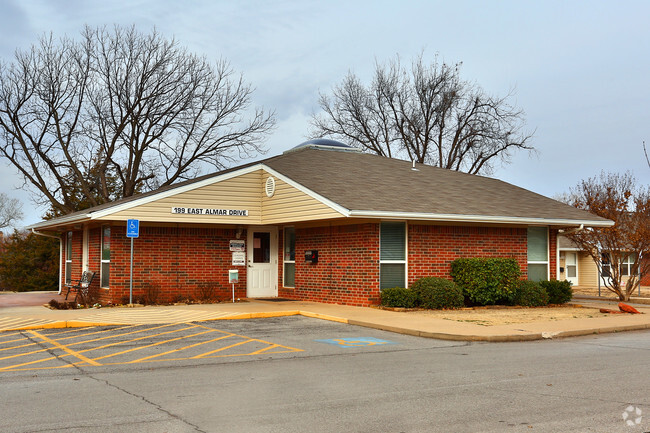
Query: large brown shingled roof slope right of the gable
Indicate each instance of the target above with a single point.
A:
(365, 182)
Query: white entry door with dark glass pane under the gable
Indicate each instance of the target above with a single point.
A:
(262, 260)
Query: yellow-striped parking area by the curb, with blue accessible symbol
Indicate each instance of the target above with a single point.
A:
(136, 346)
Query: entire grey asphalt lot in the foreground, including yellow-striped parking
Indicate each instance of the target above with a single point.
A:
(296, 374)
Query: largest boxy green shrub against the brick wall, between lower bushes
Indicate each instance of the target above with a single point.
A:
(486, 281)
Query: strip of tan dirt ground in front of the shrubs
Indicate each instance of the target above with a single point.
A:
(506, 315)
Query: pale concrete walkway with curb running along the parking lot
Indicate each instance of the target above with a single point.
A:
(35, 317)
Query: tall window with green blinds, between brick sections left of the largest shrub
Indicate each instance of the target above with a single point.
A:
(392, 255)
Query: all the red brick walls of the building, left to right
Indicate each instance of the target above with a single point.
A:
(180, 260)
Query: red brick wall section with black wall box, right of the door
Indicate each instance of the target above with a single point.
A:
(347, 271)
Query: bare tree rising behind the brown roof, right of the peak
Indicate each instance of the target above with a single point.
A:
(427, 114)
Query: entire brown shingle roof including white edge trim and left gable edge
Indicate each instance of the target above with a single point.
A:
(371, 185)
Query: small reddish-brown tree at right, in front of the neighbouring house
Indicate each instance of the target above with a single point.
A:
(618, 198)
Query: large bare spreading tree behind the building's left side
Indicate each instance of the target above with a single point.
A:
(120, 112)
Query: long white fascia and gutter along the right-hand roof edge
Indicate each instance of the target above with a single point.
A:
(479, 218)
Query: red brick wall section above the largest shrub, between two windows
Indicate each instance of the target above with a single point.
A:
(431, 249)
